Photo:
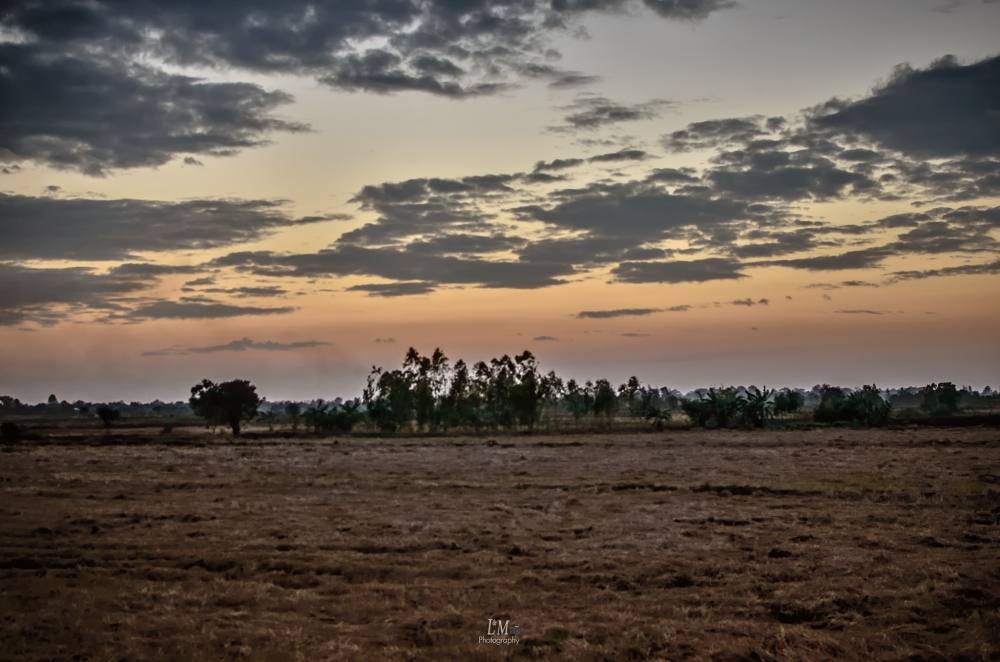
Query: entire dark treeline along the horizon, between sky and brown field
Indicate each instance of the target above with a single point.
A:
(430, 394)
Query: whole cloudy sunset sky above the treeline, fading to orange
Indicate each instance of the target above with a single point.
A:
(696, 192)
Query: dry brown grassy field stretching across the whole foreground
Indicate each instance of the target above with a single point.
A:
(853, 544)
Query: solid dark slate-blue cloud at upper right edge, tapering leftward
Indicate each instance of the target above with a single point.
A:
(945, 110)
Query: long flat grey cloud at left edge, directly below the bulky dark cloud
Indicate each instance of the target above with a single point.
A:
(98, 229)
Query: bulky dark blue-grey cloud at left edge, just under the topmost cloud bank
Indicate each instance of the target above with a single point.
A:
(93, 115)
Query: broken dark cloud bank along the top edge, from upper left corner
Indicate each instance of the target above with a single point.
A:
(451, 49)
